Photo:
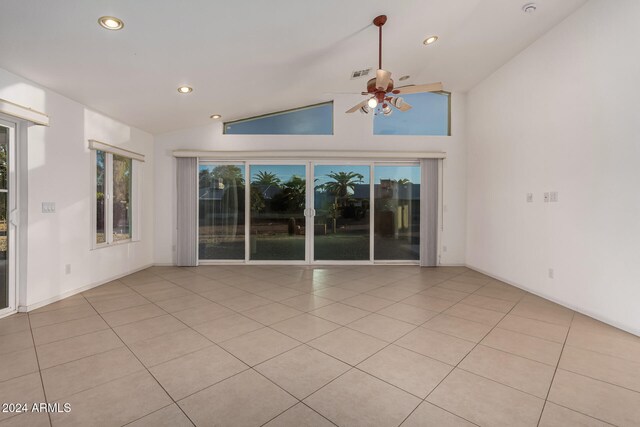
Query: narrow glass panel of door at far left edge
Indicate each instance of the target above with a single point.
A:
(4, 209)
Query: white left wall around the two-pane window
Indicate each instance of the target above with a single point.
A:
(59, 171)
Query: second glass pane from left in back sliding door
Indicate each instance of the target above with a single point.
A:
(278, 200)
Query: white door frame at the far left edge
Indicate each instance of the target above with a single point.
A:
(12, 218)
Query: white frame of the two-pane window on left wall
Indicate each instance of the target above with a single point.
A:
(135, 202)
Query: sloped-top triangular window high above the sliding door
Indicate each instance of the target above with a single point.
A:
(311, 120)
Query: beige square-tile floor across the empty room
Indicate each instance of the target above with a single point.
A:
(316, 346)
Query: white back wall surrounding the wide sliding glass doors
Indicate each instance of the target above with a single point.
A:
(351, 132)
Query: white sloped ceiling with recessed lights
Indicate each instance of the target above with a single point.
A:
(249, 57)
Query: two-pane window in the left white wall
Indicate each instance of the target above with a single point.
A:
(114, 198)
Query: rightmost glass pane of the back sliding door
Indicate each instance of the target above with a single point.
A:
(397, 213)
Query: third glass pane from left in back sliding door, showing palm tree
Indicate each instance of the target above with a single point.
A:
(341, 225)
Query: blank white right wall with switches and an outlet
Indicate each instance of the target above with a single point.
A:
(564, 115)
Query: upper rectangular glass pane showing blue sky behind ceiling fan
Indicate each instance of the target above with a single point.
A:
(429, 116)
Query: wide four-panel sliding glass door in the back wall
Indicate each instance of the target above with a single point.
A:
(321, 212)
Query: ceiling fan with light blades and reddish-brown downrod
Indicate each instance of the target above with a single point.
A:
(381, 90)
